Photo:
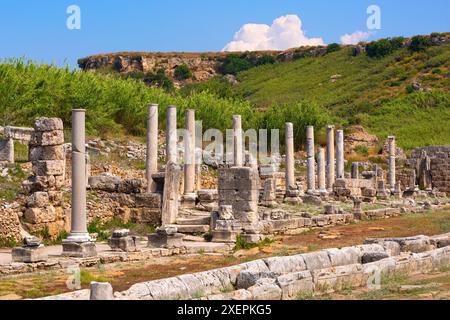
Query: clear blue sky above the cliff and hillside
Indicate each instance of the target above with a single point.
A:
(37, 29)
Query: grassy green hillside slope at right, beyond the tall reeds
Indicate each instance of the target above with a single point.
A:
(405, 93)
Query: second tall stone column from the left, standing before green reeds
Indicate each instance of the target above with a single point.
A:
(151, 164)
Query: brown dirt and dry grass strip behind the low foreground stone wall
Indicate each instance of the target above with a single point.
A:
(123, 275)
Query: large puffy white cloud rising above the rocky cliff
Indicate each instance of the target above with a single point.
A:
(284, 33)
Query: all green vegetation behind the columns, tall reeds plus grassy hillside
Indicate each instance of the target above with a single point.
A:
(391, 89)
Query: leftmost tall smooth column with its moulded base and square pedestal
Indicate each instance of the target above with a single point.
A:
(78, 243)
